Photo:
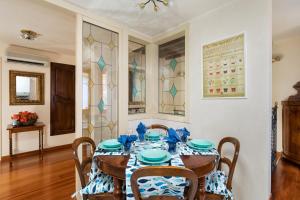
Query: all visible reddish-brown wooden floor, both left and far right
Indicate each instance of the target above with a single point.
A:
(54, 178)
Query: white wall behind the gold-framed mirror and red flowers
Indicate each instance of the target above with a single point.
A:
(28, 141)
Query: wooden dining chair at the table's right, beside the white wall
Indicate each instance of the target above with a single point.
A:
(230, 162)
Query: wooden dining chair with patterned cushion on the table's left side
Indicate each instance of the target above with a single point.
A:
(83, 167)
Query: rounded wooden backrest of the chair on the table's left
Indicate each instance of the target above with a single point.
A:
(84, 142)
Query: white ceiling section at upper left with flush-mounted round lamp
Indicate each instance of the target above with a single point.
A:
(56, 25)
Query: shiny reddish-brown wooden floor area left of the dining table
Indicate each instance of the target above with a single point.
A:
(32, 179)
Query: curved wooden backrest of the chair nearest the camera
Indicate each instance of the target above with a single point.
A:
(164, 171)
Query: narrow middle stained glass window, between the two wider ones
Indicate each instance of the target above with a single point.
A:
(137, 78)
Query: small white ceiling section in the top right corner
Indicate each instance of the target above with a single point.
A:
(286, 19)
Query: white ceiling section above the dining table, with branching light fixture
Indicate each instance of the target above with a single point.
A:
(148, 21)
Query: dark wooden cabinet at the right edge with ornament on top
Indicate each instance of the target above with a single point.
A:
(291, 126)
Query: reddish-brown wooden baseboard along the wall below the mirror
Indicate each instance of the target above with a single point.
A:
(36, 152)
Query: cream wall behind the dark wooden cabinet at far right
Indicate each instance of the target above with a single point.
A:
(286, 73)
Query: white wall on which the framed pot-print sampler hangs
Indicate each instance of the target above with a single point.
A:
(246, 119)
